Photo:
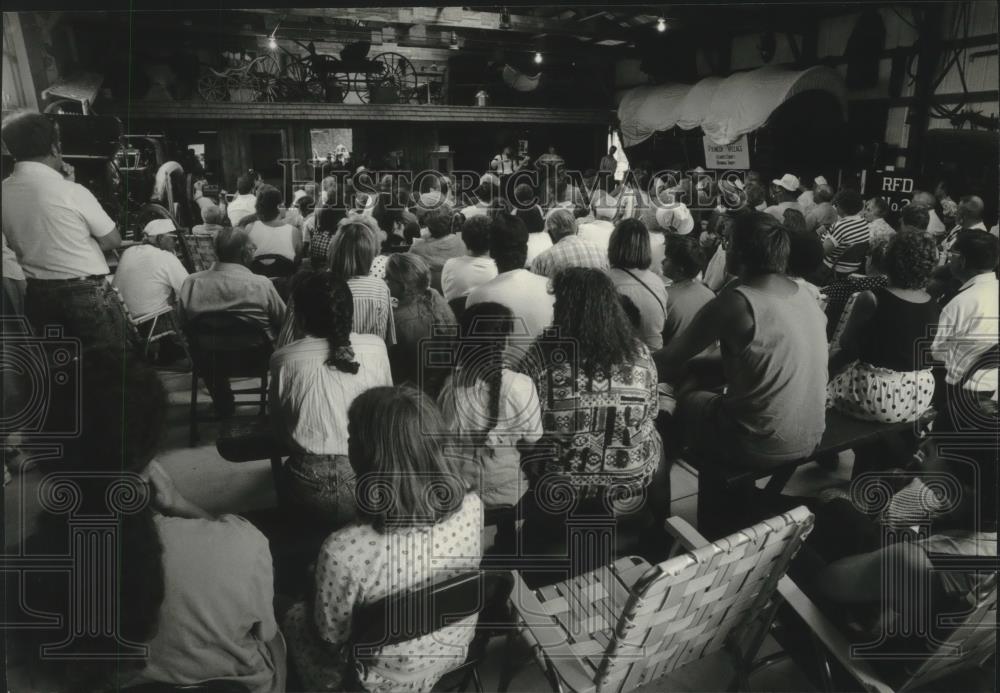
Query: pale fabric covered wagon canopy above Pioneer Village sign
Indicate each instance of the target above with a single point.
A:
(724, 108)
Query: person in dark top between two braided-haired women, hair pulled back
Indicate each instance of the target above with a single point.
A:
(419, 310)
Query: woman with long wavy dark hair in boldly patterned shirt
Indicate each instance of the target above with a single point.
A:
(597, 384)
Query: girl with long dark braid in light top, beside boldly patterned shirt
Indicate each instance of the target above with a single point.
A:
(492, 408)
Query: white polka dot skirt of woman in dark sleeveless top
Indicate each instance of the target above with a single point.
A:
(879, 394)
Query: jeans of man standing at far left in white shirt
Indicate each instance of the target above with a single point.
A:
(86, 308)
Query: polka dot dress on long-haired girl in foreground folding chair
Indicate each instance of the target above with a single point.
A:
(358, 565)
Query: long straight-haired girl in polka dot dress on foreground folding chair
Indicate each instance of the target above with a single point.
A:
(417, 523)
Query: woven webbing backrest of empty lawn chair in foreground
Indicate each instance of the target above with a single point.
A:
(692, 605)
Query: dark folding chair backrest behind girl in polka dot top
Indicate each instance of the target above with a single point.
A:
(414, 614)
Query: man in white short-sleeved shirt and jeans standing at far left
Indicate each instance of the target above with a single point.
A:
(60, 233)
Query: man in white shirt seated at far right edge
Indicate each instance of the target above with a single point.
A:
(968, 329)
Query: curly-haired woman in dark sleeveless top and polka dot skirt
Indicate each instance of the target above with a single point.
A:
(879, 373)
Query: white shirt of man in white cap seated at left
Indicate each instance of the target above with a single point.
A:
(149, 279)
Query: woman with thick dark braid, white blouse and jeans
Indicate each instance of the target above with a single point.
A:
(313, 382)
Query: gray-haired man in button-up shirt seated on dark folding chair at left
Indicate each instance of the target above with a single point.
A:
(230, 287)
